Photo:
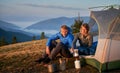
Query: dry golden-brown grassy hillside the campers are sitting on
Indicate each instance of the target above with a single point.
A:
(20, 57)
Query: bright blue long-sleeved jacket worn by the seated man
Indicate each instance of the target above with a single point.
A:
(65, 40)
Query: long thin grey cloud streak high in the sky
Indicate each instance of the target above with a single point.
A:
(53, 6)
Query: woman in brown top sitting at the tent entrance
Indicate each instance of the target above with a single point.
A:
(85, 40)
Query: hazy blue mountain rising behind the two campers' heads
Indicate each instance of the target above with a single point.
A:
(55, 23)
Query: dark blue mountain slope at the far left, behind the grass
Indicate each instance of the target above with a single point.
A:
(8, 30)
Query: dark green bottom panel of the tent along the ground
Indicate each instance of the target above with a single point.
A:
(103, 66)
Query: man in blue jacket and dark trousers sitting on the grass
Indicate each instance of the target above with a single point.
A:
(53, 48)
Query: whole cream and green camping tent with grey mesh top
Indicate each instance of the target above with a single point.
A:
(107, 55)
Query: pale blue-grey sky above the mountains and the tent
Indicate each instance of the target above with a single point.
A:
(26, 12)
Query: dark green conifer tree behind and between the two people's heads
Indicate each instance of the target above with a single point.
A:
(76, 26)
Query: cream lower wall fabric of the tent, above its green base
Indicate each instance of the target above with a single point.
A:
(107, 53)
